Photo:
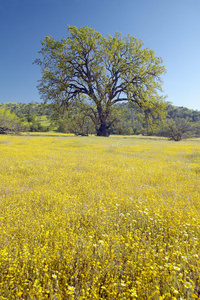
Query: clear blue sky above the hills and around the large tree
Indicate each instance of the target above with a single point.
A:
(170, 27)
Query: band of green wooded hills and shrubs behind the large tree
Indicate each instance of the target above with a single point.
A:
(179, 123)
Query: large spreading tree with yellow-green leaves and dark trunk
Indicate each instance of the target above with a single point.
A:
(105, 70)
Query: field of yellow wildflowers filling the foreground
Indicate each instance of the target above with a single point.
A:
(99, 218)
